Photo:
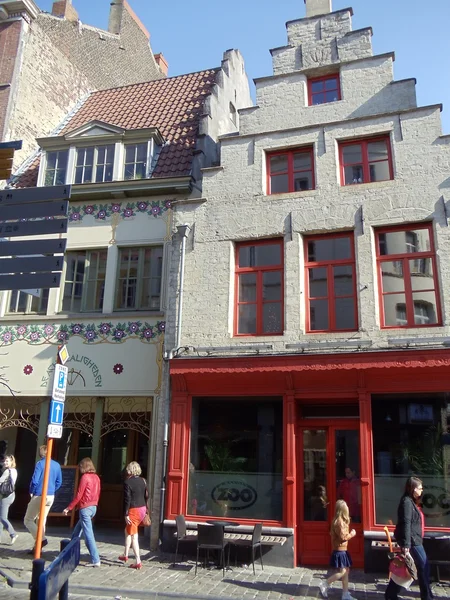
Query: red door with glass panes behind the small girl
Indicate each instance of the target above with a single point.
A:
(329, 466)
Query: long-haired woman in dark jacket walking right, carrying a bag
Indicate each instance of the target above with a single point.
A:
(409, 536)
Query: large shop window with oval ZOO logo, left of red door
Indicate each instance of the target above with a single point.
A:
(236, 458)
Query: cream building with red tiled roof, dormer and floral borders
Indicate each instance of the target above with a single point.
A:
(131, 154)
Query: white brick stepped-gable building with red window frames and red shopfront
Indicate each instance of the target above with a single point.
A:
(311, 361)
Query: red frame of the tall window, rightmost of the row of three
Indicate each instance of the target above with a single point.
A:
(405, 257)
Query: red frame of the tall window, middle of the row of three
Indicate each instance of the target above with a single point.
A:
(331, 295)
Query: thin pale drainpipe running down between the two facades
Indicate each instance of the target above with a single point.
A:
(183, 231)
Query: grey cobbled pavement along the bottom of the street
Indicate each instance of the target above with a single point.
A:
(158, 579)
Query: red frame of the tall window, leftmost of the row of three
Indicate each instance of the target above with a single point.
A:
(259, 270)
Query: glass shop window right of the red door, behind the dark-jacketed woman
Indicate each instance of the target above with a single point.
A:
(411, 436)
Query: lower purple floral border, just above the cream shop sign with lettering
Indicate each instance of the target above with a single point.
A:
(91, 333)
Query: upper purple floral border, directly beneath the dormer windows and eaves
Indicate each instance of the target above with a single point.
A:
(102, 212)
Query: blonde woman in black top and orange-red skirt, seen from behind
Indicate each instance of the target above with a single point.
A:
(136, 498)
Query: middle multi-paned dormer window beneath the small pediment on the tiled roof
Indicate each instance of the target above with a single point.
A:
(94, 164)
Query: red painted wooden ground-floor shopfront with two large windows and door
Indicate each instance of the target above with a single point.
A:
(299, 431)
